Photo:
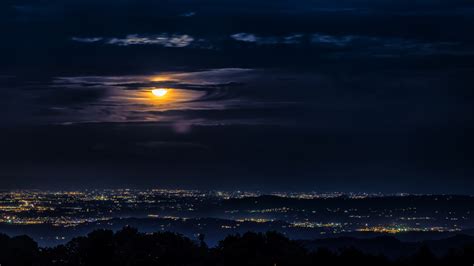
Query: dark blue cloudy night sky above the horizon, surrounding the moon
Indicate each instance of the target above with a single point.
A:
(327, 95)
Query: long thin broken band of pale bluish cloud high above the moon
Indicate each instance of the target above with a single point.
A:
(347, 45)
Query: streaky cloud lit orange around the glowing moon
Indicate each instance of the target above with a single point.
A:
(85, 99)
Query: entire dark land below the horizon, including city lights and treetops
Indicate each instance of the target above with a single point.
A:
(234, 228)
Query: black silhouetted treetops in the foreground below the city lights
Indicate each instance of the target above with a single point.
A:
(130, 247)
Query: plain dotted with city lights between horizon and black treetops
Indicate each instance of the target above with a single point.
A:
(73, 208)
